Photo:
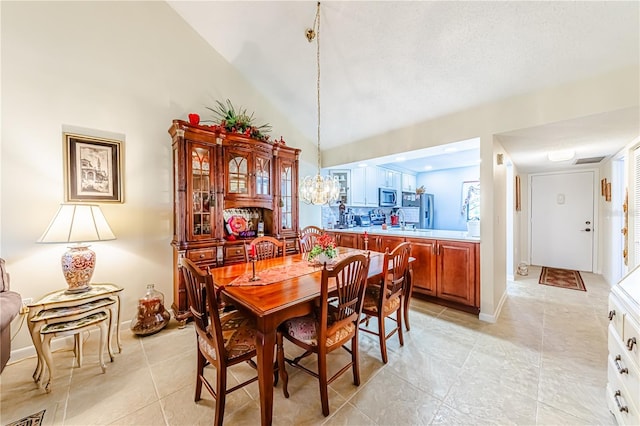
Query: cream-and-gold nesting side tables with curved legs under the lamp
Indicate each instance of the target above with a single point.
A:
(62, 313)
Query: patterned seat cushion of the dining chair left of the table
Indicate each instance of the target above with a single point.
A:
(239, 336)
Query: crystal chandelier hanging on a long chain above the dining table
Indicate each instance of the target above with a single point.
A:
(318, 189)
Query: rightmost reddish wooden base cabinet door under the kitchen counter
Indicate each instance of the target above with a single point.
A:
(456, 271)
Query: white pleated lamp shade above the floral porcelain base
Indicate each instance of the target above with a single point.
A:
(74, 223)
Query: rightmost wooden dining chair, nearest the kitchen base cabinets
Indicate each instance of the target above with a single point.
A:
(383, 299)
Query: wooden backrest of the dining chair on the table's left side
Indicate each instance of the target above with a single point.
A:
(203, 303)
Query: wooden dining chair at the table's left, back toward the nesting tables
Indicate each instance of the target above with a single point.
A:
(223, 339)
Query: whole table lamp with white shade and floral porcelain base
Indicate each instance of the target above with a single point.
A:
(80, 224)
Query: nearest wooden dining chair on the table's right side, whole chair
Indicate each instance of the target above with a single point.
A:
(333, 324)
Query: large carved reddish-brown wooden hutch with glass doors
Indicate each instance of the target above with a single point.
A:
(217, 175)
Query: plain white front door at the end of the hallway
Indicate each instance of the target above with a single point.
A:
(562, 219)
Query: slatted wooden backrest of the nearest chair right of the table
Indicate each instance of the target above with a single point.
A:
(343, 305)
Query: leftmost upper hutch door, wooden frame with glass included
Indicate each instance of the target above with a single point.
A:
(201, 193)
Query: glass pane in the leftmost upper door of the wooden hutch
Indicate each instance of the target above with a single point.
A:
(200, 190)
